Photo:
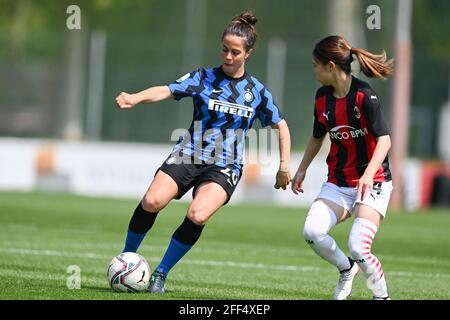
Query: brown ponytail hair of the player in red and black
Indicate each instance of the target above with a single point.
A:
(338, 50)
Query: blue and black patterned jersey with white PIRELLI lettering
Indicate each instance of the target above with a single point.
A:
(225, 109)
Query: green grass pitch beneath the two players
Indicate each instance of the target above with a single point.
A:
(245, 252)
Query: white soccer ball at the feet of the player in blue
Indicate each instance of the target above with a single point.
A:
(129, 272)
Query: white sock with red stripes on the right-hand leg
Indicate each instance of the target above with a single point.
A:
(360, 244)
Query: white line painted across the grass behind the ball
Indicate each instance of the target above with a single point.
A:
(233, 264)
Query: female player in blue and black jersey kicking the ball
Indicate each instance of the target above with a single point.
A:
(209, 158)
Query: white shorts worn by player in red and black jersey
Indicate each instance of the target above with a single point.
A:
(378, 199)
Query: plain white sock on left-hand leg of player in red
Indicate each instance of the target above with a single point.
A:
(319, 221)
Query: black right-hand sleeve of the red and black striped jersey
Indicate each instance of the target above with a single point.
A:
(375, 118)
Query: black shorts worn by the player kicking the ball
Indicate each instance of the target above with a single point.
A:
(193, 175)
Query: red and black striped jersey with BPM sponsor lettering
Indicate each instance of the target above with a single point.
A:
(353, 122)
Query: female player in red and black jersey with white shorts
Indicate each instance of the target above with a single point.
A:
(359, 180)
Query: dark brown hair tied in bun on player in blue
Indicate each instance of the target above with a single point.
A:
(243, 26)
